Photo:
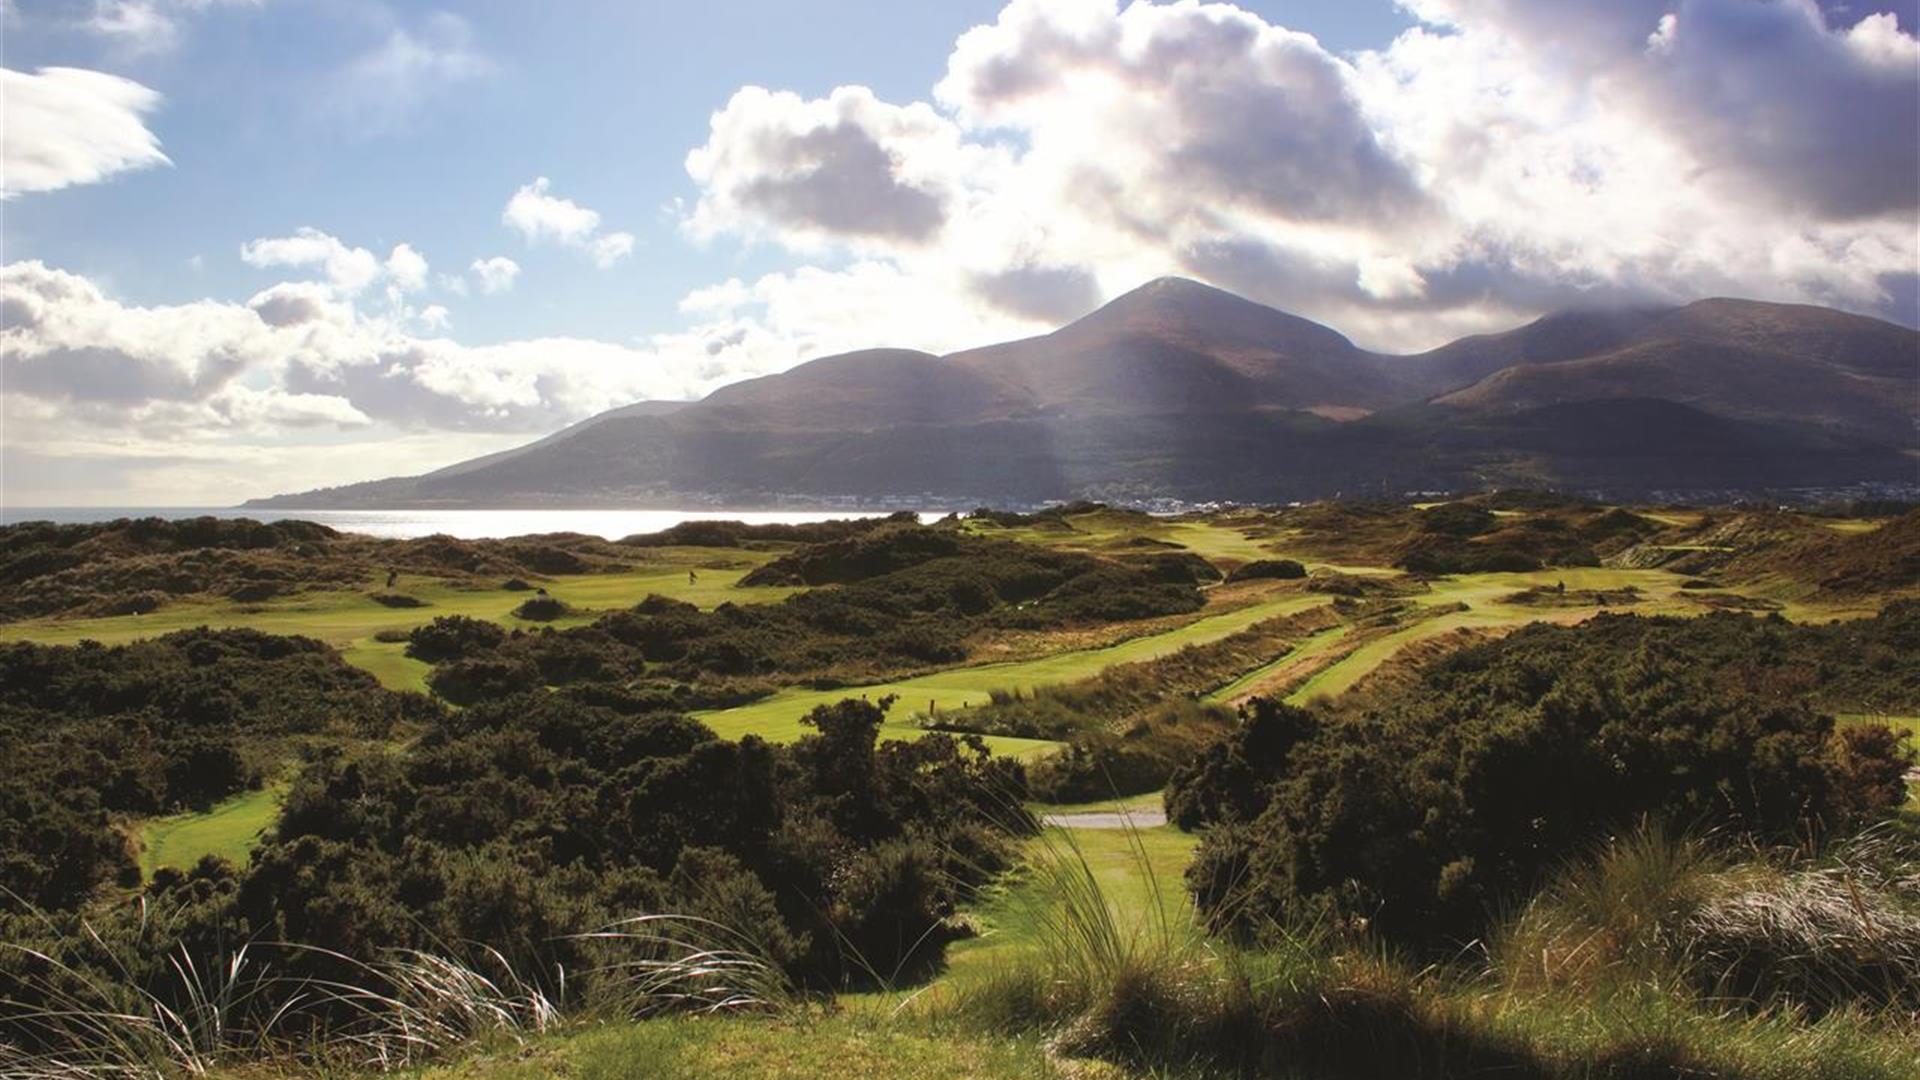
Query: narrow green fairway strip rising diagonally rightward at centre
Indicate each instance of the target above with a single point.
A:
(779, 718)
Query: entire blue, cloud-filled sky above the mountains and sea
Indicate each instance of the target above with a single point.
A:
(254, 247)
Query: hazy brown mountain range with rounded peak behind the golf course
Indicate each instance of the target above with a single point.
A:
(1184, 391)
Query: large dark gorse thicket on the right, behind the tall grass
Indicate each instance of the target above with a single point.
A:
(1426, 810)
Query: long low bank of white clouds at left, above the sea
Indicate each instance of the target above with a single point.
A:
(302, 355)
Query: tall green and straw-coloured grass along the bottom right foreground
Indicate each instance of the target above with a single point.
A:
(1612, 996)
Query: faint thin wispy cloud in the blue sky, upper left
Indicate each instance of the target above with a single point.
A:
(387, 89)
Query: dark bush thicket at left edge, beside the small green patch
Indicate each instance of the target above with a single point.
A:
(95, 733)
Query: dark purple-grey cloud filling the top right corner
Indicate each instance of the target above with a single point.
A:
(1771, 95)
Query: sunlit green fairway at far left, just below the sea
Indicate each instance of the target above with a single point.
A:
(350, 620)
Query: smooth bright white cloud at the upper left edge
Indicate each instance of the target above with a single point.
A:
(66, 126)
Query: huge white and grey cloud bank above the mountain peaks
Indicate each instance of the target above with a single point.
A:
(1476, 172)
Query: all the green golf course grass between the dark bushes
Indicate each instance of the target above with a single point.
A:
(976, 1014)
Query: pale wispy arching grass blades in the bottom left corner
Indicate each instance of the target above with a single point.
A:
(393, 1012)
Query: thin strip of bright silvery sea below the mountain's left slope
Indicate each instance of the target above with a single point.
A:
(464, 524)
